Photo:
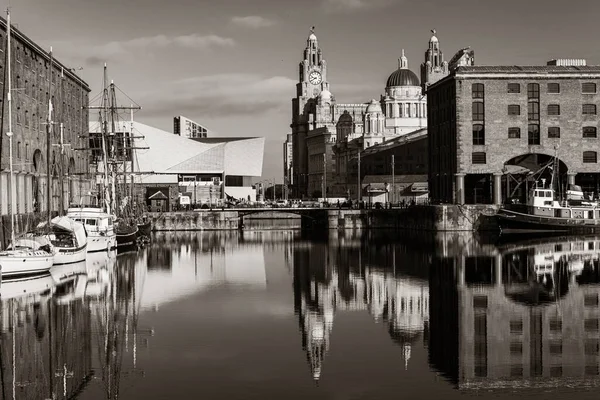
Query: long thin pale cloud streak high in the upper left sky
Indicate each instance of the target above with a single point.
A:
(78, 52)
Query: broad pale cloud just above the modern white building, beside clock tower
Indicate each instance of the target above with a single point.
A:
(220, 95)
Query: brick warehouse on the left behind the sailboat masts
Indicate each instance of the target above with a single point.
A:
(30, 78)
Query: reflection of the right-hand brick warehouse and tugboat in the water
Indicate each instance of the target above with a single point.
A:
(517, 316)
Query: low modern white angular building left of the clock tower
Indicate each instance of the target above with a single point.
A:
(208, 170)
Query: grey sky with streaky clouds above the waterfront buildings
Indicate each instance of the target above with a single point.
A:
(232, 65)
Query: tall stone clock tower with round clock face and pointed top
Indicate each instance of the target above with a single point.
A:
(312, 82)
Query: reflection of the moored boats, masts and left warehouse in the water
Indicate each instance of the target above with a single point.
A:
(66, 330)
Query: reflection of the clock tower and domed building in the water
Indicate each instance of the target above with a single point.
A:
(374, 274)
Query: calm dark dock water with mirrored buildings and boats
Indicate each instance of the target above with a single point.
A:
(272, 315)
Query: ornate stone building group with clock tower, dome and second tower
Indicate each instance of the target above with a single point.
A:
(327, 135)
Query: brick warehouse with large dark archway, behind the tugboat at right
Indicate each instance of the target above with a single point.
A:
(490, 127)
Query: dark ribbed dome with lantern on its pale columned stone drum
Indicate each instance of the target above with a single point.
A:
(405, 105)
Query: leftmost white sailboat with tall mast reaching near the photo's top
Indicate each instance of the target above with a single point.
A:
(24, 257)
